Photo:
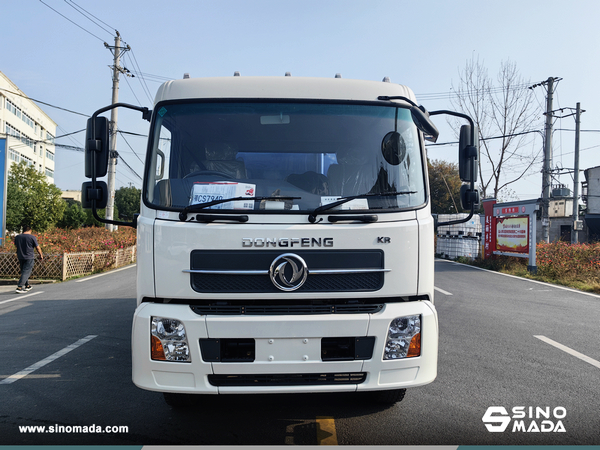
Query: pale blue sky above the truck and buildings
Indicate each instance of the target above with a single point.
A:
(55, 54)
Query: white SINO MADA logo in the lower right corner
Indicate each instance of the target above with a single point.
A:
(525, 419)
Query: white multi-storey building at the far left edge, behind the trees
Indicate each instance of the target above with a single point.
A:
(28, 130)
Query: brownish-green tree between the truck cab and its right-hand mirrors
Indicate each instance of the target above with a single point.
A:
(444, 183)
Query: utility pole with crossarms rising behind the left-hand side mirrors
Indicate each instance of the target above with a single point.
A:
(117, 51)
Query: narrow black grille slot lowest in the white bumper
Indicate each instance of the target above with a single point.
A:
(295, 379)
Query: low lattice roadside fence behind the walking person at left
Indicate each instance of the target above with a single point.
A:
(68, 265)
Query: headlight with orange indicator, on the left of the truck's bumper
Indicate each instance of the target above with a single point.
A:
(168, 340)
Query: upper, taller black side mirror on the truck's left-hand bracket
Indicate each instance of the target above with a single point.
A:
(96, 147)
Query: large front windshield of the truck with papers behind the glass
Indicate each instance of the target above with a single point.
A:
(308, 154)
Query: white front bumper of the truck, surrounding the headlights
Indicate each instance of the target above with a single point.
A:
(284, 345)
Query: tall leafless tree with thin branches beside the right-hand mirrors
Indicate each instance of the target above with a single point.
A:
(503, 111)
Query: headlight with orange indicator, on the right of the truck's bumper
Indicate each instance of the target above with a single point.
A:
(404, 338)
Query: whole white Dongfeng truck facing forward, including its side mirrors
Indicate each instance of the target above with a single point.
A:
(285, 241)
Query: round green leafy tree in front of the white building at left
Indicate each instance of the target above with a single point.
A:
(31, 200)
